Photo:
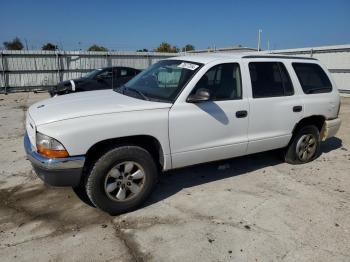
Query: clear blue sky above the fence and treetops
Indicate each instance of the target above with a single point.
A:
(131, 25)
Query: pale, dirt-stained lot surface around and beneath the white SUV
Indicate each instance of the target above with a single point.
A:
(253, 208)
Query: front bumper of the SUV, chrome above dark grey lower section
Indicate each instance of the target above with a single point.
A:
(55, 171)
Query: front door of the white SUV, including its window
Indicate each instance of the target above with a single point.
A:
(215, 129)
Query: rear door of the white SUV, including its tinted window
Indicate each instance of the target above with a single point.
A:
(275, 106)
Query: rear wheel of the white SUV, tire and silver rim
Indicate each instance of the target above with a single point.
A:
(297, 144)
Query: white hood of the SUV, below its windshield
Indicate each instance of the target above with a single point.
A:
(86, 104)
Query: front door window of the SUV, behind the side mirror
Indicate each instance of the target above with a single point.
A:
(223, 82)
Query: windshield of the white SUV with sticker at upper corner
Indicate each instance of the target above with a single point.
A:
(162, 81)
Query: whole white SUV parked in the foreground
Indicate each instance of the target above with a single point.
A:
(110, 145)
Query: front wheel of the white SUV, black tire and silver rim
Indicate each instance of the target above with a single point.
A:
(122, 179)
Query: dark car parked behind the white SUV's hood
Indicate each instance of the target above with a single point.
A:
(102, 78)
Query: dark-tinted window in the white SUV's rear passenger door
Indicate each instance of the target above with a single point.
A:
(270, 79)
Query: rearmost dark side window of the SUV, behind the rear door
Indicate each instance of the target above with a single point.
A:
(312, 78)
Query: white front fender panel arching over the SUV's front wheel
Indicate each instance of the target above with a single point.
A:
(79, 134)
